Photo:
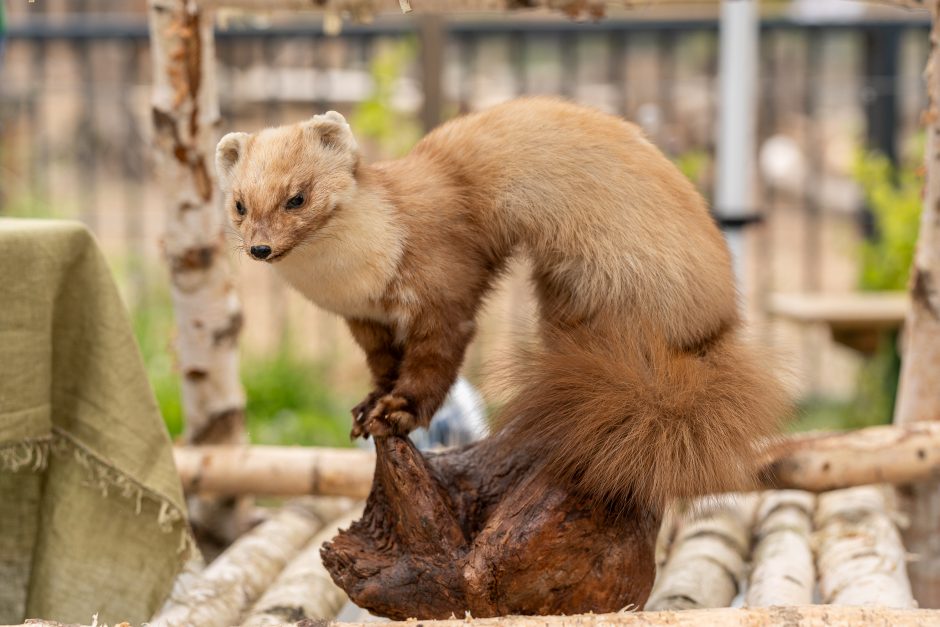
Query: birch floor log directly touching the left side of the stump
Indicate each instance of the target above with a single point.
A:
(304, 590)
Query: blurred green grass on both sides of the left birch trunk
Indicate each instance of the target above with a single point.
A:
(288, 398)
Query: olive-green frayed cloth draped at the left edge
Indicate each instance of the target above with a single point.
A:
(91, 509)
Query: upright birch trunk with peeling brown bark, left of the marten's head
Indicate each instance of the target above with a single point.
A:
(208, 313)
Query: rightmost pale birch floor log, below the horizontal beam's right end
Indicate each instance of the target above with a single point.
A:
(860, 557)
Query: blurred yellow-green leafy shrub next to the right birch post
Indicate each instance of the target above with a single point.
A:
(894, 197)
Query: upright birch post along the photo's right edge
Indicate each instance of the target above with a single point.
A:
(919, 395)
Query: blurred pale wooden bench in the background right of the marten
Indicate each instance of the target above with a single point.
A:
(856, 320)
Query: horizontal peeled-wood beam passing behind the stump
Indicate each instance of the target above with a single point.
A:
(815, 462)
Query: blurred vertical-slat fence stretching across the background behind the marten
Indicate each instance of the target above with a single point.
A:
(74, 110)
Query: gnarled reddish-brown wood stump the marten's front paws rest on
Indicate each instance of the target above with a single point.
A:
(483, 529)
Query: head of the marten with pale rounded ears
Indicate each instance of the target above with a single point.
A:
(283, 185)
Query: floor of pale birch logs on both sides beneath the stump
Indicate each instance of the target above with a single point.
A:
(780, 557)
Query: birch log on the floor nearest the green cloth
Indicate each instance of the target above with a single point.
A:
(235, 580)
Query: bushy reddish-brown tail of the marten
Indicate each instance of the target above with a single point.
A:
(628, 420)
